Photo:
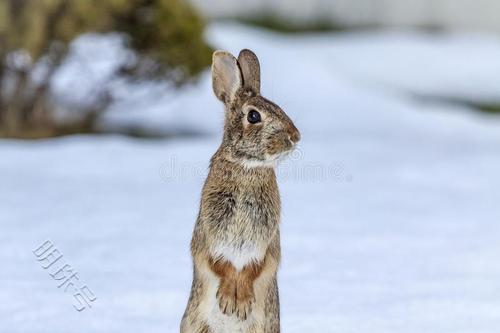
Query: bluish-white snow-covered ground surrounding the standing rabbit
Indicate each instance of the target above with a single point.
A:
(390, 207)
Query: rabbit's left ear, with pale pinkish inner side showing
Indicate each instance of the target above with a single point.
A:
(226, 76)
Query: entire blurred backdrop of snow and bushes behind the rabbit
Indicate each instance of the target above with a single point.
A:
(391, 206)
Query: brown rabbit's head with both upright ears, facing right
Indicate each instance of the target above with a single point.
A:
(256, 131)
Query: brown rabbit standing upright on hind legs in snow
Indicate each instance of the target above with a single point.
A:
(236, 239)
